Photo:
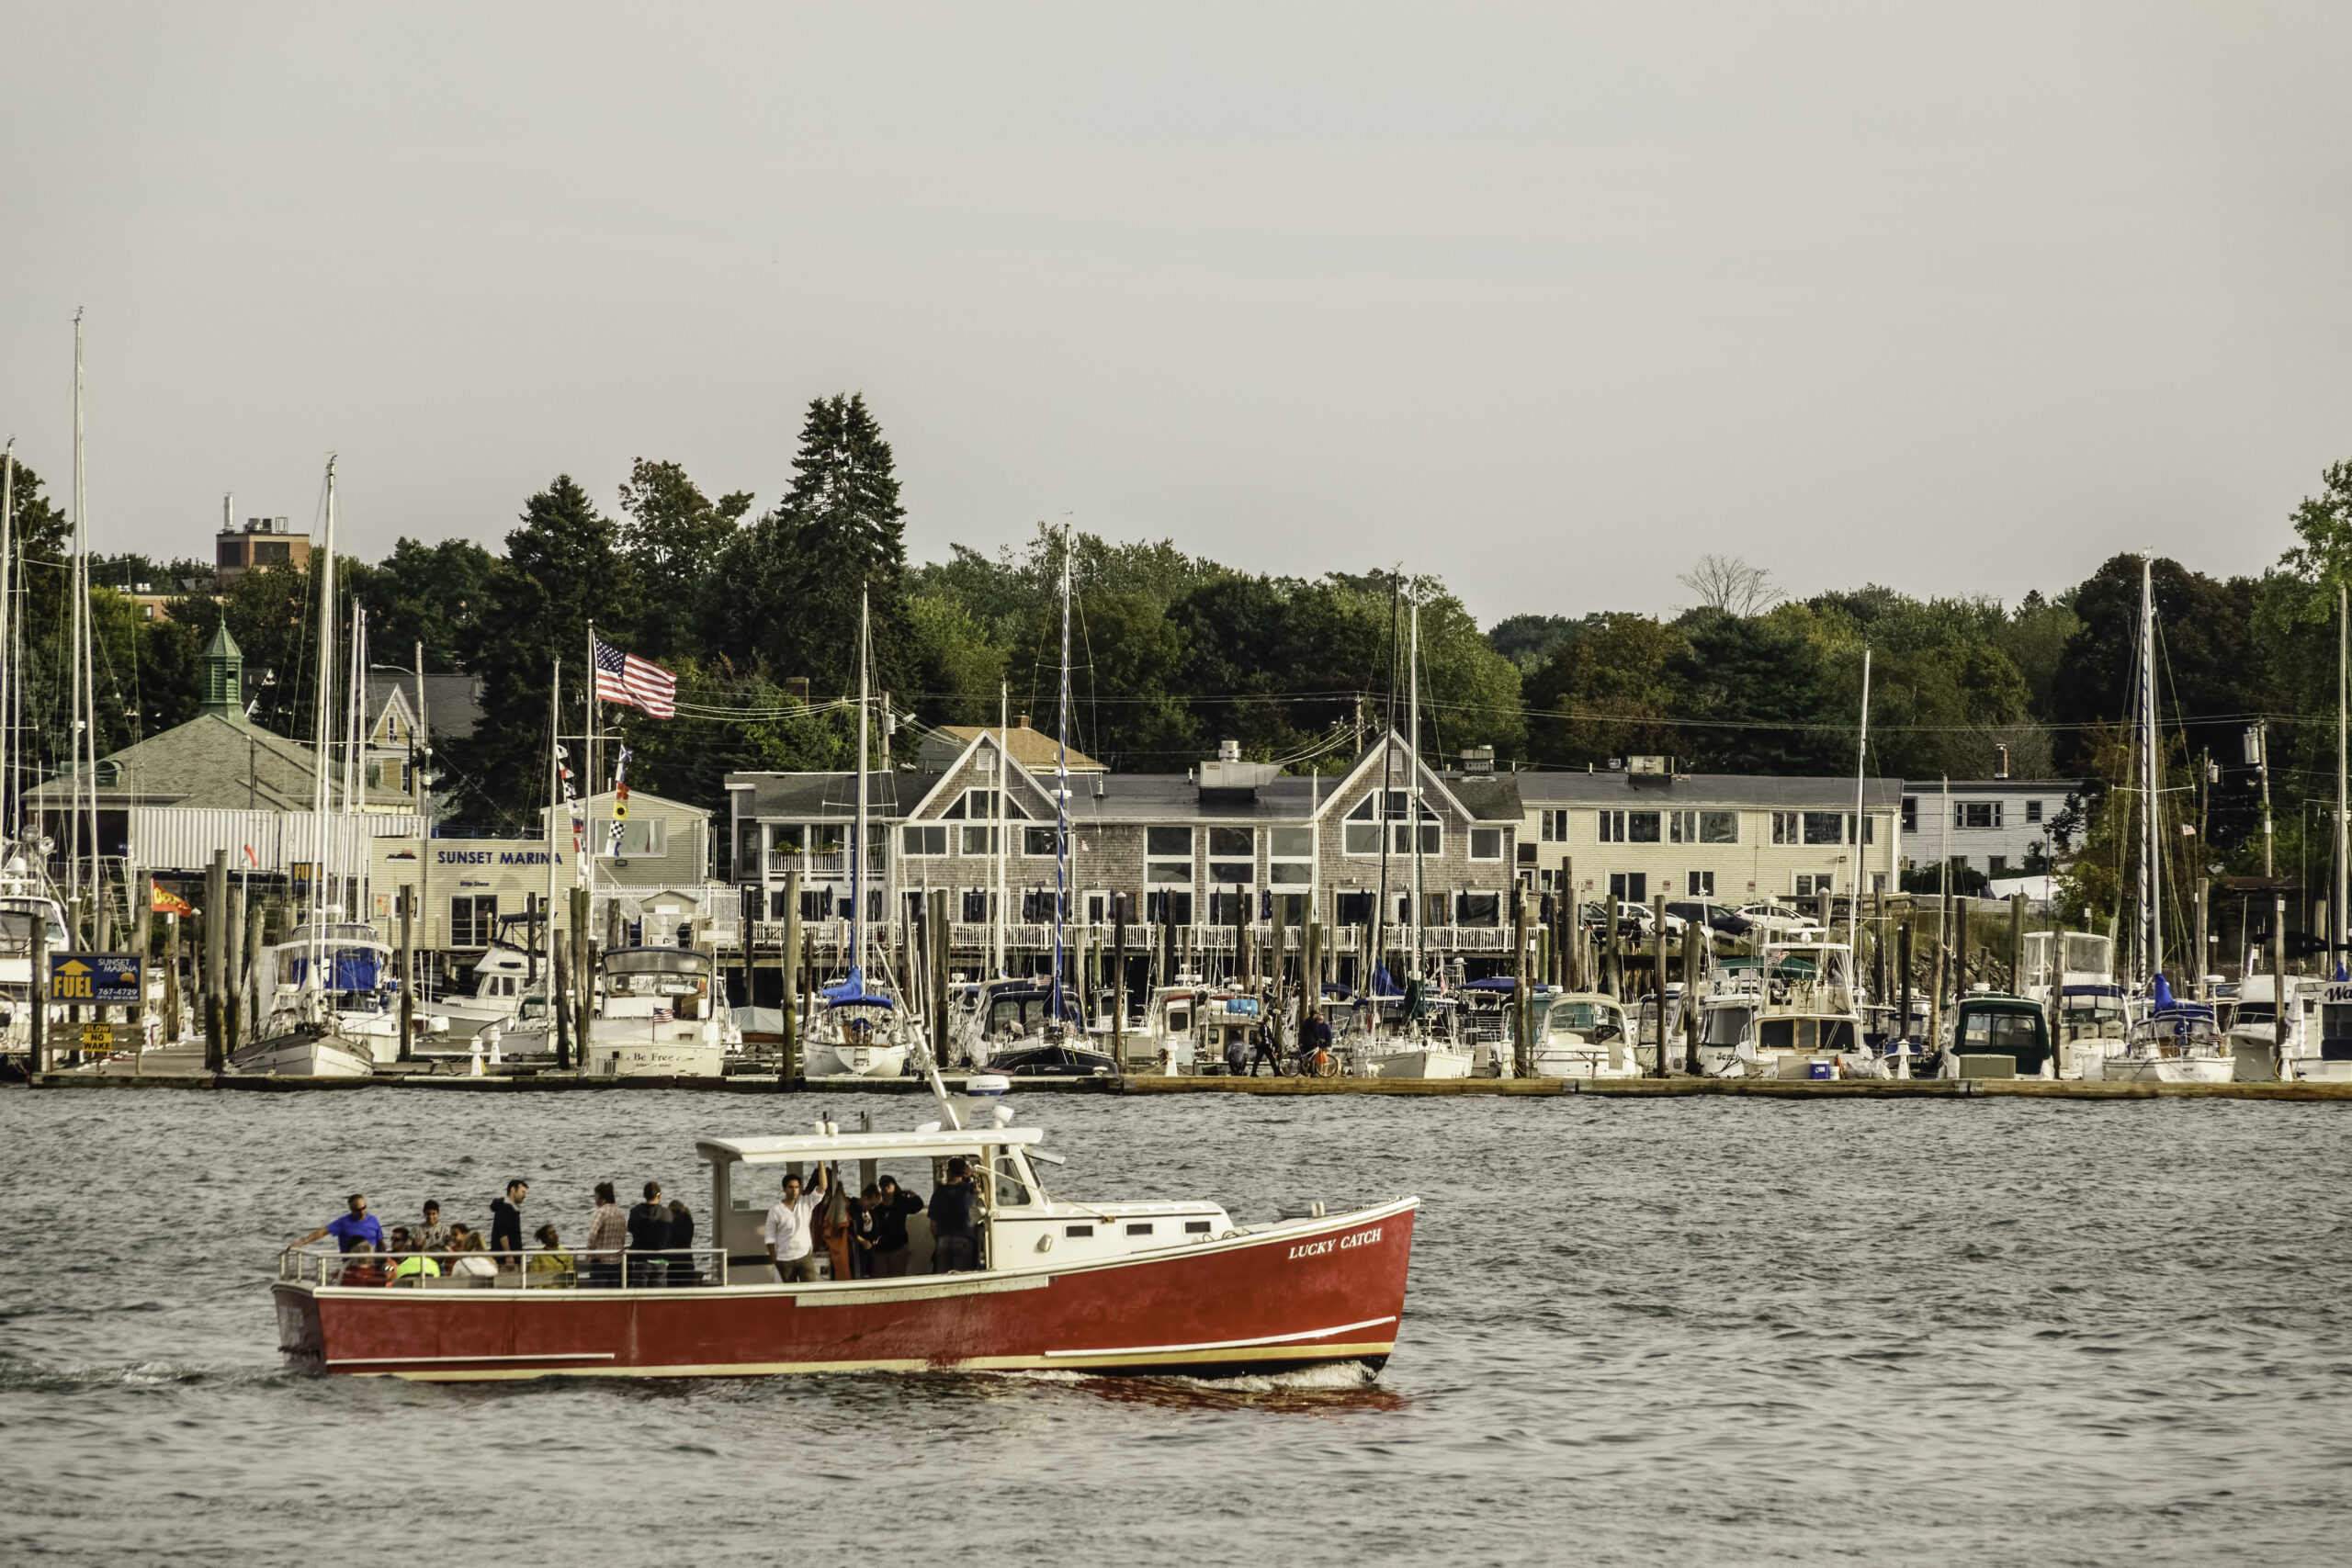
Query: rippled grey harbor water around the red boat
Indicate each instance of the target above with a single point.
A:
(1638, 1332)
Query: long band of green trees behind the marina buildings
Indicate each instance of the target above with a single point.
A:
(1175, 652)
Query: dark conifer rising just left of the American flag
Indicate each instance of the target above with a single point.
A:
(563, 572)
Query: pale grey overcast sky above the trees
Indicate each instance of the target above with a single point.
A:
(1544, 300)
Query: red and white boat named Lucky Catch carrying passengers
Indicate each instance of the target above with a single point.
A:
(1170, 1285)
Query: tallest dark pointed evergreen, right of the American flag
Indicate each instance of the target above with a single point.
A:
(794, 579)
